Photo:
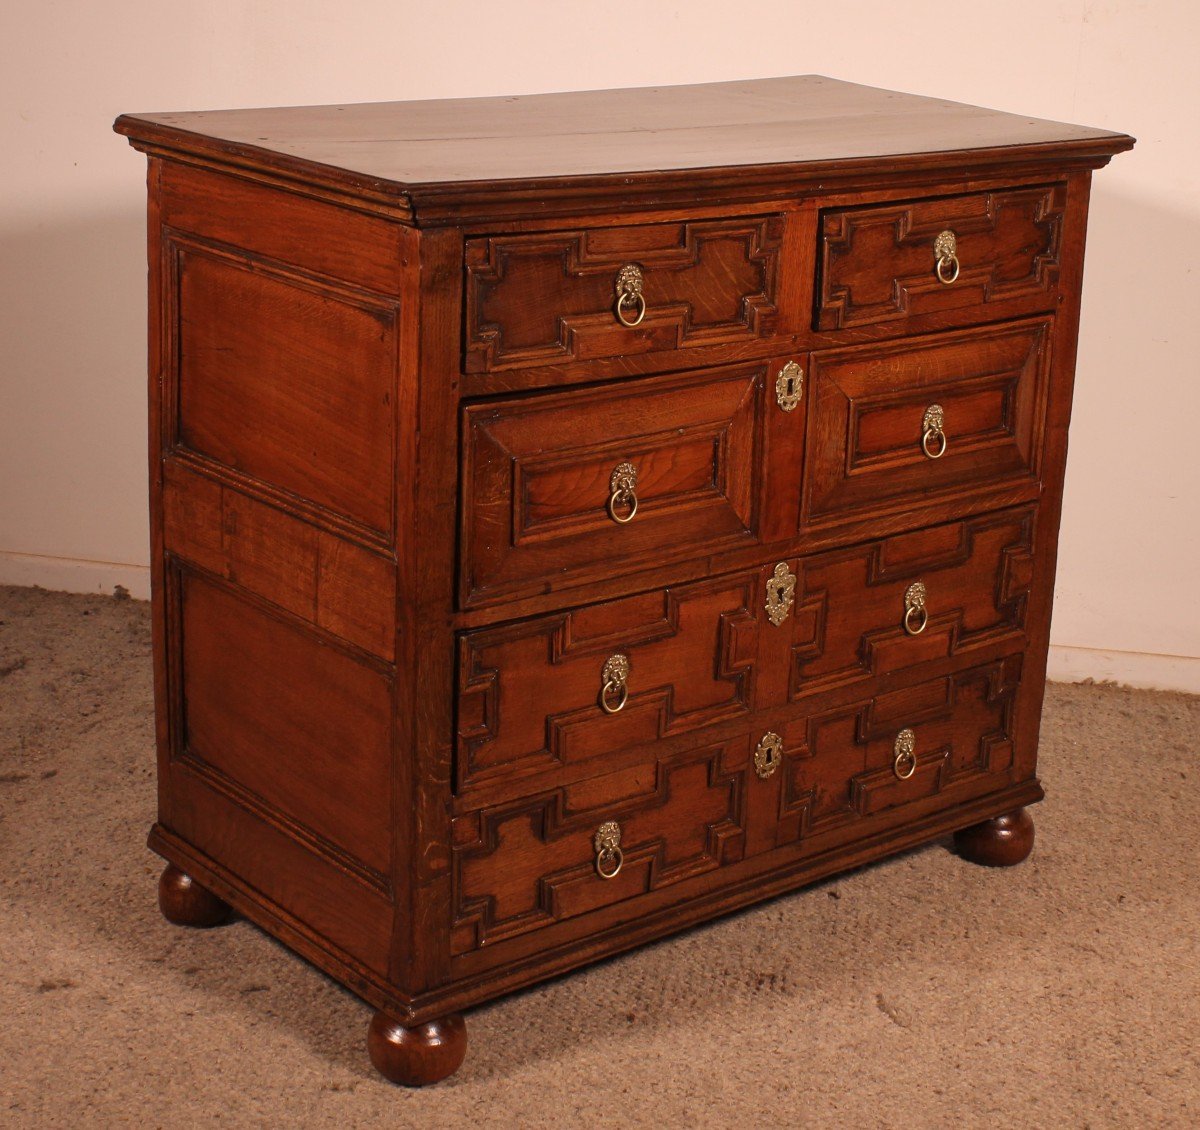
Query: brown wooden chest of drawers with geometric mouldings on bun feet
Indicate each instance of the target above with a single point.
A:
(578, 516)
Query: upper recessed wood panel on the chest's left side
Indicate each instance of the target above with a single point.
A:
(289, 383)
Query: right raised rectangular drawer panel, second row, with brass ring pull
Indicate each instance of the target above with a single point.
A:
(943, 420)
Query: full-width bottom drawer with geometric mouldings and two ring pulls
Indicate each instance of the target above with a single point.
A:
(596, 852)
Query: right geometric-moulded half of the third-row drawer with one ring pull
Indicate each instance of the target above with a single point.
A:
(916, 598)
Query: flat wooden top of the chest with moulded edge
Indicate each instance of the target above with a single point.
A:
(803, 127)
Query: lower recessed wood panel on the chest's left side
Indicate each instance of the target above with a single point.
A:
(301, 726)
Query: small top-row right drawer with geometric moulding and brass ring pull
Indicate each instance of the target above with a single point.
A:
(890, 262)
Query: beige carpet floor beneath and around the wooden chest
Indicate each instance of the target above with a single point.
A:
(921, 993)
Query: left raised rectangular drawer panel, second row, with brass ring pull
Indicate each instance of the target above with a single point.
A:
(562, 486)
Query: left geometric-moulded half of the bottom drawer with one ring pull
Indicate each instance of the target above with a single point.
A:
(542, 861)
